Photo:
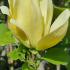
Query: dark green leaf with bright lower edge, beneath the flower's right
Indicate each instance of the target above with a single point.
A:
(57, 55)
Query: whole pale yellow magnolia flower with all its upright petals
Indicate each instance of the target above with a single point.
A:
(31, 22)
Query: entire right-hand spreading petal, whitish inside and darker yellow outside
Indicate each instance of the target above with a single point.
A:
(57, 32)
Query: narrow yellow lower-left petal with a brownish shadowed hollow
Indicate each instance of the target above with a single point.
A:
(19, 34)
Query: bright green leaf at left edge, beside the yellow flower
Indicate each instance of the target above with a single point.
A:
(6, 36)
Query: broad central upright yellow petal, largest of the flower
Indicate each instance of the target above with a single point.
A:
(29, 19)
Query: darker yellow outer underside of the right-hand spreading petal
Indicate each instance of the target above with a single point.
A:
(53, 38)
